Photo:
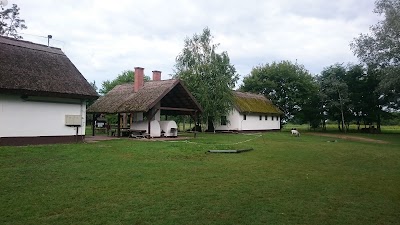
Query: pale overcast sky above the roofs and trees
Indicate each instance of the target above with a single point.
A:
(104, 38)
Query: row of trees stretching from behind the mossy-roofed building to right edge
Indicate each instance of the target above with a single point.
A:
(363, 93)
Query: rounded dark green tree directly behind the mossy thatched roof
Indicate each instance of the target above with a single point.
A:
(289, 86)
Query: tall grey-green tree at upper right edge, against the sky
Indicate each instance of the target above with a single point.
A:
(380, 49)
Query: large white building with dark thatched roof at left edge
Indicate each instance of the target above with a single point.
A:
(42, 95)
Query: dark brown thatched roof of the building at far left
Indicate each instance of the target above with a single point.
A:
(27, 68)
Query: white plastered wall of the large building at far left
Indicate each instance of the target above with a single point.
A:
(21, 118)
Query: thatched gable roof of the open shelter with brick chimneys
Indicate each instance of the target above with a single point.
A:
(122, 98)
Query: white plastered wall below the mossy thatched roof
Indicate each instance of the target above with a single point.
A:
(236, 122)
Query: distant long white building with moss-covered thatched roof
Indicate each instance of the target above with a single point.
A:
(251, 112)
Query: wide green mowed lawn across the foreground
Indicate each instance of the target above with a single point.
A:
(284, 180)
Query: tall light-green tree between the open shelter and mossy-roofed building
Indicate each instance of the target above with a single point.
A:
(208, 75)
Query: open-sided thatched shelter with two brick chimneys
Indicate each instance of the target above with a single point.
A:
(139, 110)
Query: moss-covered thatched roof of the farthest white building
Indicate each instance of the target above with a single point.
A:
(253, 103)
